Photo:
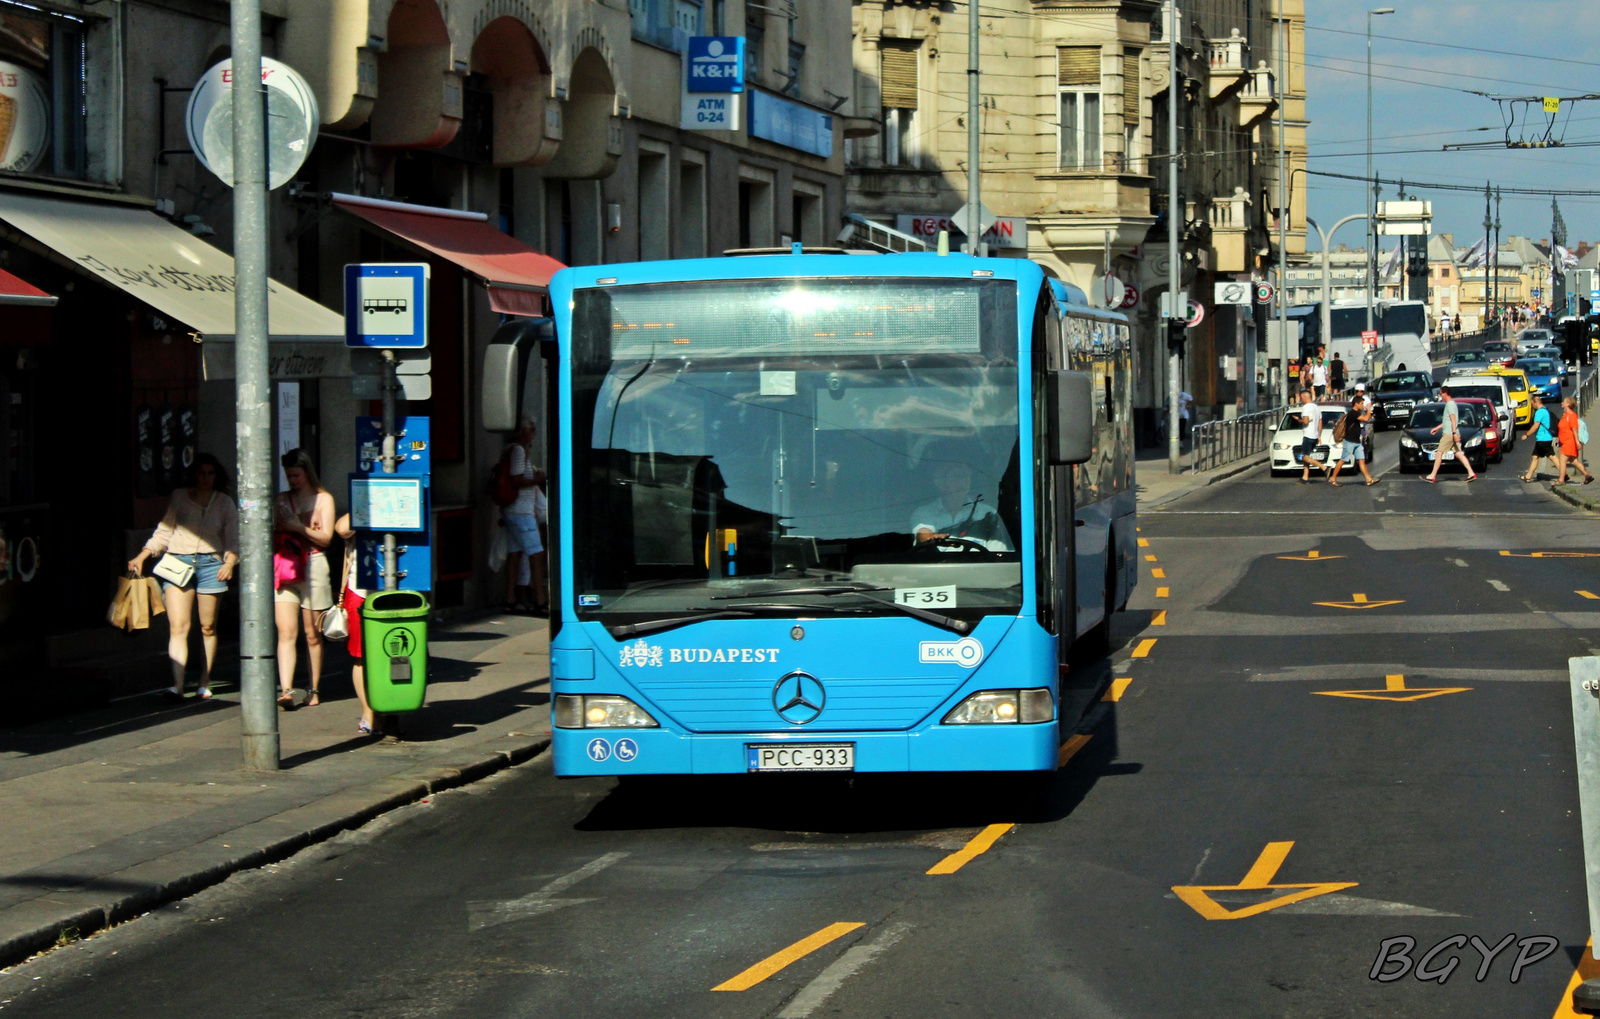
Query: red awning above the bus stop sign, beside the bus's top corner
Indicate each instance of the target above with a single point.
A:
(518, 278)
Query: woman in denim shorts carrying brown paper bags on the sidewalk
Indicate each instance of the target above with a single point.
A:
(201, 530)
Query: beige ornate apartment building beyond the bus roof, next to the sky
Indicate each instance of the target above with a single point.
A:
(1074, 154)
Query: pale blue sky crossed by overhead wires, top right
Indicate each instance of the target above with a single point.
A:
(1422, 103)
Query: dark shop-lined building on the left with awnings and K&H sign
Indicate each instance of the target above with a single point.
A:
(495, 140)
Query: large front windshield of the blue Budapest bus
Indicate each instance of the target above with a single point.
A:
(798, 442)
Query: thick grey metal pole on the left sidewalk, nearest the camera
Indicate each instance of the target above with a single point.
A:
(257, 629)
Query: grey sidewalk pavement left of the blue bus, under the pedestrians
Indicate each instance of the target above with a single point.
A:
(121, 810)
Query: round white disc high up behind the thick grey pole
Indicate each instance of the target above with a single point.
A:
(292, 121)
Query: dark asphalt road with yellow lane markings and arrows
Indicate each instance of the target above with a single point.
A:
(1150, 877)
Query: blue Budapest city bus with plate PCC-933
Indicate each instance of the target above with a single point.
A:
(825, 513)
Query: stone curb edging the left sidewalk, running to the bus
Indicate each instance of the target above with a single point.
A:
(81, 922)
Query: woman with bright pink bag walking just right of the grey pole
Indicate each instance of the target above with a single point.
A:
(305, 513)
